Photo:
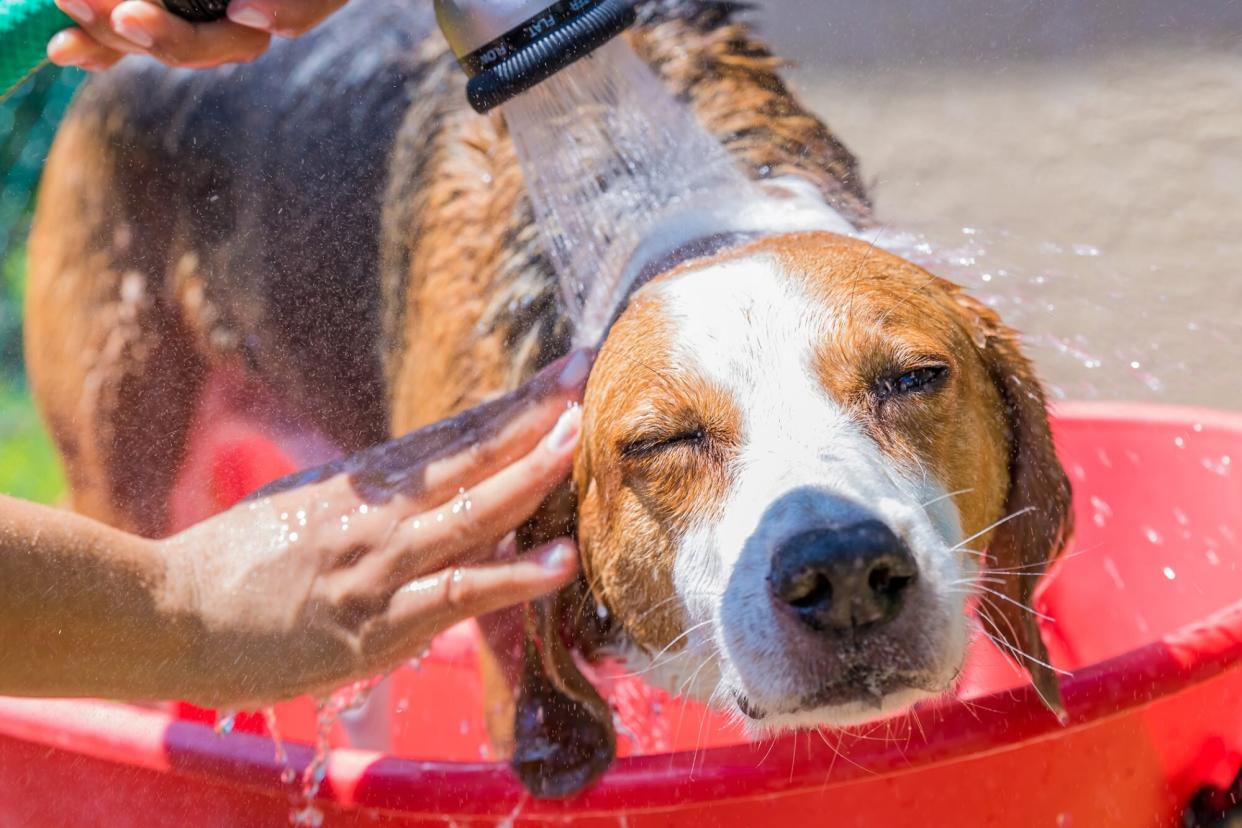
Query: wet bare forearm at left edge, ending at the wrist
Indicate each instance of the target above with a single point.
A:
(88, 610)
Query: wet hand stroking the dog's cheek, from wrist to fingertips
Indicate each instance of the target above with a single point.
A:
(355, 568)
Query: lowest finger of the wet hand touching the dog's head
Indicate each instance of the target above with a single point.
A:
(428, 606)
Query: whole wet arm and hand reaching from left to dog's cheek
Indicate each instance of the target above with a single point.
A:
(337, 575)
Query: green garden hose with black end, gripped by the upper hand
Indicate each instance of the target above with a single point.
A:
(28, 25)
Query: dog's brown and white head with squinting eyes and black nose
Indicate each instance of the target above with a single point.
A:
(798, 459)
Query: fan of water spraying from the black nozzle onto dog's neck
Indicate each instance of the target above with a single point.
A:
(609, 157)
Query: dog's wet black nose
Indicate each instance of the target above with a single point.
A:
(844, 578)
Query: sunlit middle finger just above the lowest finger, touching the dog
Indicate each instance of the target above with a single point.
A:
(489, 512)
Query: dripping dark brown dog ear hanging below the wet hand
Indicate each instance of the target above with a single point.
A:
(563, 737)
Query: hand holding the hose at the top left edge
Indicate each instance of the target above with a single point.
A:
(111, 29)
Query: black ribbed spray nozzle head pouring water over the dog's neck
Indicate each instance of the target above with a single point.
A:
(537, 50)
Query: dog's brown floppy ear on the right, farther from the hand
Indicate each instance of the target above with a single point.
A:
(1038, 515)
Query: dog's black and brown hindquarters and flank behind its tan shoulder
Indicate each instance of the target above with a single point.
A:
(227, 217)
